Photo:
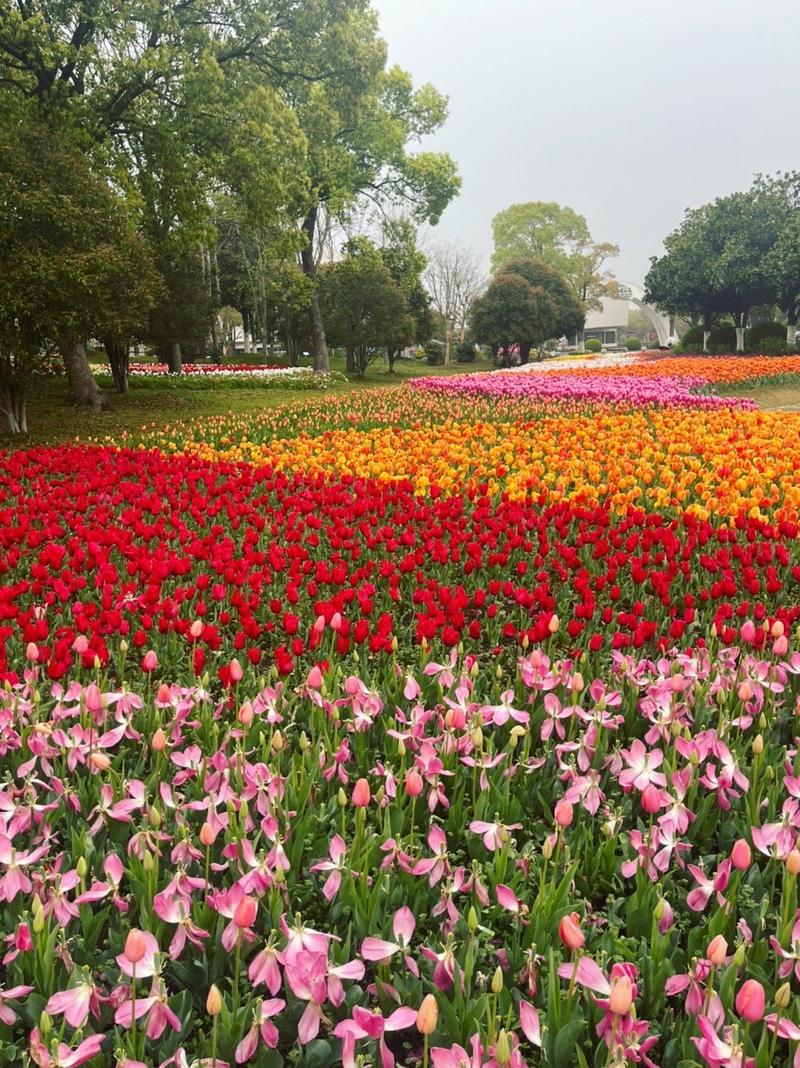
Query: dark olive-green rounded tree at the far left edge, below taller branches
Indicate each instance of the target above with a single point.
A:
(74, 265)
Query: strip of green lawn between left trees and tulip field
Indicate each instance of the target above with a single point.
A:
(53, 420)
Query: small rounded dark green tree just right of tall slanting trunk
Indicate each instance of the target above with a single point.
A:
(366, 309)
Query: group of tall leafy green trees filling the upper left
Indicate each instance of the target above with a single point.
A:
(162, 162)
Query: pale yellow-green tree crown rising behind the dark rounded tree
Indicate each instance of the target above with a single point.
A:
(560, 238)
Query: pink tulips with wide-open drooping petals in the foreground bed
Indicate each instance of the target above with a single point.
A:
(406, 865)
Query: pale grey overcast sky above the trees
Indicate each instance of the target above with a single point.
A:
(628, 111)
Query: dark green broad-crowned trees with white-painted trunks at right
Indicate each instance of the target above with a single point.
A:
(731, 258)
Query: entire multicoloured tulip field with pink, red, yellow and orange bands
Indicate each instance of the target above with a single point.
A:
(448, 726)
